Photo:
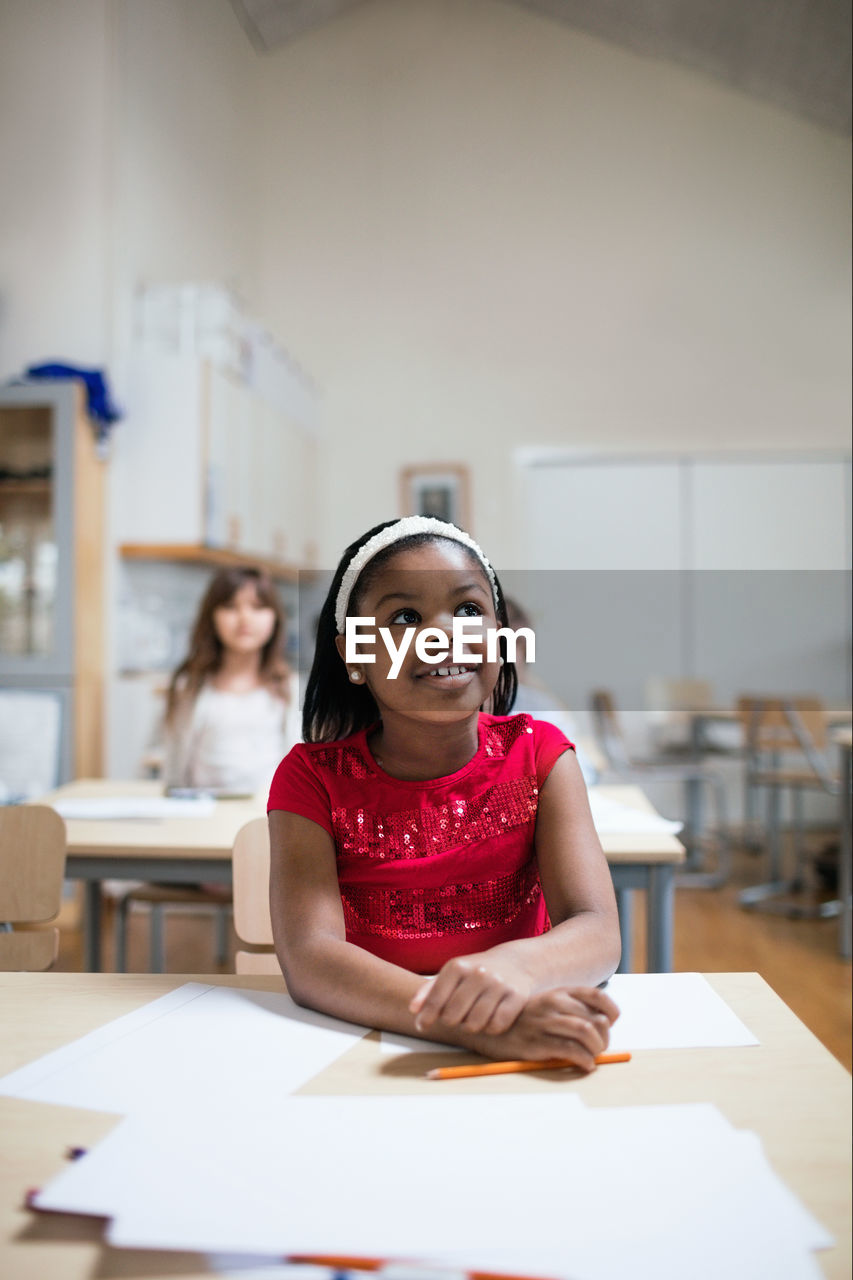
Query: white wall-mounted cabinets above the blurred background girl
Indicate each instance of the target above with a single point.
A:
(209, 467)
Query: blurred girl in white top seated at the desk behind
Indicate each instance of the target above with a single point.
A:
(231, 714)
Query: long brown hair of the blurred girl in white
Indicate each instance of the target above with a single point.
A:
(207, 650)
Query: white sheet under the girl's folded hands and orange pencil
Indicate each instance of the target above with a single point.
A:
(658, 1011)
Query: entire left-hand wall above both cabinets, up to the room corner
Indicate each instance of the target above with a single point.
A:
(129, 158)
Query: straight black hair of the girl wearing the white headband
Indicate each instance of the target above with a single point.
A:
(334, 706)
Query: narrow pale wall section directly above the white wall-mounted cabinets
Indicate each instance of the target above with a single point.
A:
(186, 149)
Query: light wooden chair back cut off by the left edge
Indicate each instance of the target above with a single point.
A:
(33, 866)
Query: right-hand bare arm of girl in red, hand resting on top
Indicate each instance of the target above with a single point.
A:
(489, 991)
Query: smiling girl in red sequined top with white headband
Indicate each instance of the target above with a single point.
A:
(435, 867)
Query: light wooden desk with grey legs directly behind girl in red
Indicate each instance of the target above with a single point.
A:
(199, 849)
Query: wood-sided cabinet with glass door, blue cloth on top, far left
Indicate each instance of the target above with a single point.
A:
(52, 561)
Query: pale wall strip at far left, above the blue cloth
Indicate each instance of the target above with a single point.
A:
(54, 195)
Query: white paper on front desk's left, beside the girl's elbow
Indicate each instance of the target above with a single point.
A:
(197, 1043)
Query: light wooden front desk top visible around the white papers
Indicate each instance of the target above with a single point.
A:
(790, 1090)
